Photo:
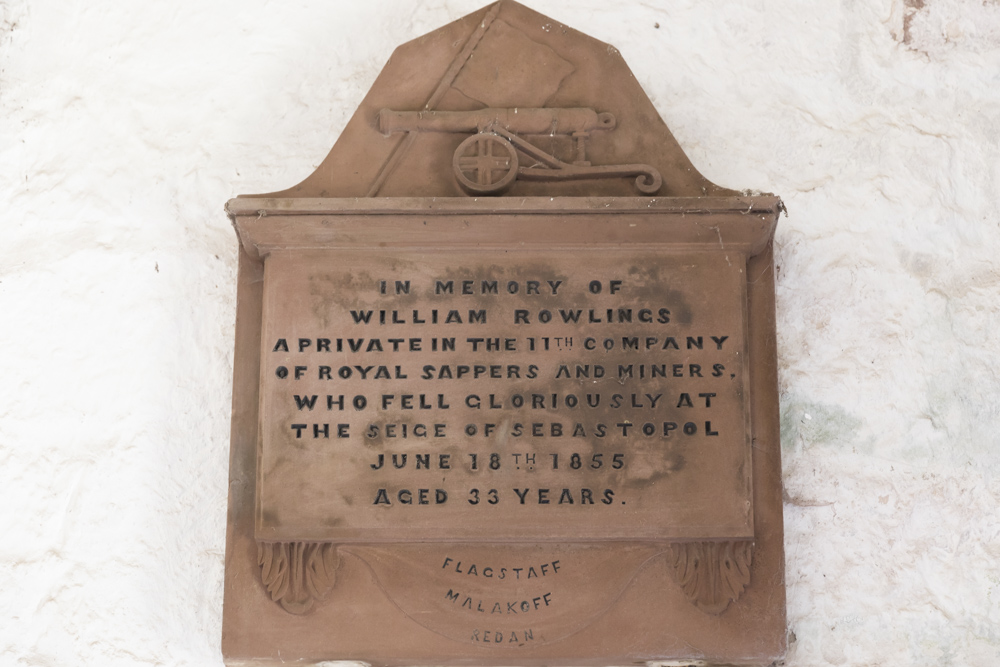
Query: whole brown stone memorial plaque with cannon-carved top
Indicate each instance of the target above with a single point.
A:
(505, 379)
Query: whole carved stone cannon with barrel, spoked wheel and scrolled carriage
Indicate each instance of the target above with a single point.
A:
(488, 163)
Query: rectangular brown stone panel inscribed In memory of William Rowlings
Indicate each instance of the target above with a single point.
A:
(584, 394)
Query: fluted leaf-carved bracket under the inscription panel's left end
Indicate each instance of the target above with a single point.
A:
(296, 574)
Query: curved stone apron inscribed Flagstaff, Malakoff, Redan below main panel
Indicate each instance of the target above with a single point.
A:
(537, 594)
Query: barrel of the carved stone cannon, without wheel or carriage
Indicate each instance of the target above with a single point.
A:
(517, 120)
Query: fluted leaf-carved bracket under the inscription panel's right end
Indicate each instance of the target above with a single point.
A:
(711, 574)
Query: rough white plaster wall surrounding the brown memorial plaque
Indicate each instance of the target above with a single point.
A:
(125, 126)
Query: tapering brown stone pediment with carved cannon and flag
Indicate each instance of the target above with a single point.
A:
(505, 101)
